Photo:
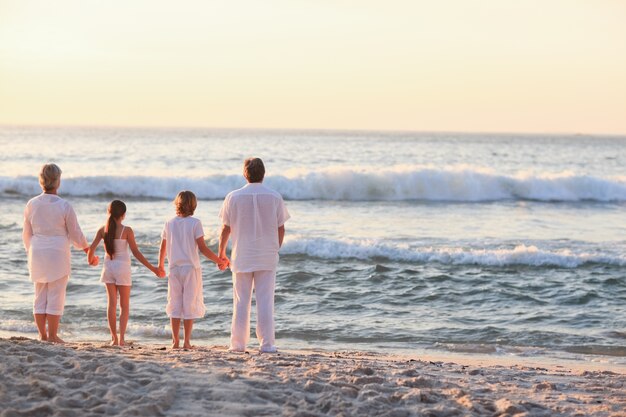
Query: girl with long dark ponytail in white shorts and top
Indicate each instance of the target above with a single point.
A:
(116, 272)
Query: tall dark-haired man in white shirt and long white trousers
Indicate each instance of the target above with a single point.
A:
(254, 216)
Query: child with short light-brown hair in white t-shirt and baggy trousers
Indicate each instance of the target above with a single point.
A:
(182, 237)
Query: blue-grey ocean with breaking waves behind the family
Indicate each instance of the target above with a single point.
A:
(490, 244)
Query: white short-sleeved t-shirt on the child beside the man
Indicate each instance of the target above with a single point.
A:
(181, 234)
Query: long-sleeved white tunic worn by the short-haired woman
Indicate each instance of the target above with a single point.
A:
(50, 225)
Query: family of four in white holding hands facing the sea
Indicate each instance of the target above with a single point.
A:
(253, 219)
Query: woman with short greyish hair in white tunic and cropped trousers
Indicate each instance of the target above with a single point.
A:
(50, 226)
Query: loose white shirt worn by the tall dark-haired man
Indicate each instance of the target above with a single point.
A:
(254, 214)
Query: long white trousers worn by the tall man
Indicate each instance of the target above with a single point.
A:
(264, 283)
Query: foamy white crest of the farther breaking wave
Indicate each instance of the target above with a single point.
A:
(457, 183)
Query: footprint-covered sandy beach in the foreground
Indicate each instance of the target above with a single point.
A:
(90, 379)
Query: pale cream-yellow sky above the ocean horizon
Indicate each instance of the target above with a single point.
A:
(464, 65)
